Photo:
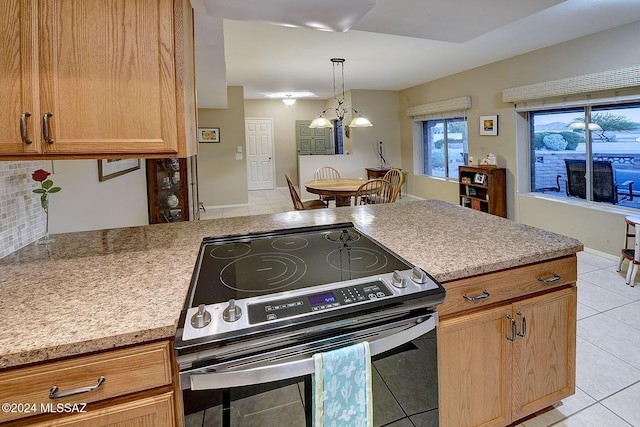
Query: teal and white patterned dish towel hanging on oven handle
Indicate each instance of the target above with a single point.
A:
(342, 394)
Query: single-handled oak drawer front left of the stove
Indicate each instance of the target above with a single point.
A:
(125, 371)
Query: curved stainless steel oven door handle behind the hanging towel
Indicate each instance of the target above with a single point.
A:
(297, 368)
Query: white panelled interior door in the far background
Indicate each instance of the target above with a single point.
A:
(259, 135)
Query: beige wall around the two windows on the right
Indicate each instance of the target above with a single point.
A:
(599, 227)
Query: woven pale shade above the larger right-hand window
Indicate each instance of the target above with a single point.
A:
(618, 78)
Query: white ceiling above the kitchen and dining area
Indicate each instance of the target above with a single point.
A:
(388, 44)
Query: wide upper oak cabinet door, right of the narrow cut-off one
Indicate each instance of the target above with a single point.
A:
(107, 76)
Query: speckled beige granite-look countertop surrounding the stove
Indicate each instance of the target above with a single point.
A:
(97, 290)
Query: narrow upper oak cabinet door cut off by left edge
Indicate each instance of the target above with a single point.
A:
(19, 78)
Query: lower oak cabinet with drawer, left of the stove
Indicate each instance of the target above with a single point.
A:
(132, 386)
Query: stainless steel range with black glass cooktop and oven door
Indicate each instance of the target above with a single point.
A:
(246, 337)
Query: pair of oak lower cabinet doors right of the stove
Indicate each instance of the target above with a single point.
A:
(503, 363)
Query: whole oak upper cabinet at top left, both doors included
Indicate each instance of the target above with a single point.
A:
(111, 77)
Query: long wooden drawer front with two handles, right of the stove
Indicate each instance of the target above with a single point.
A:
(507, 284)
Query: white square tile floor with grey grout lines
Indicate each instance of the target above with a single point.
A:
(608, 342)
